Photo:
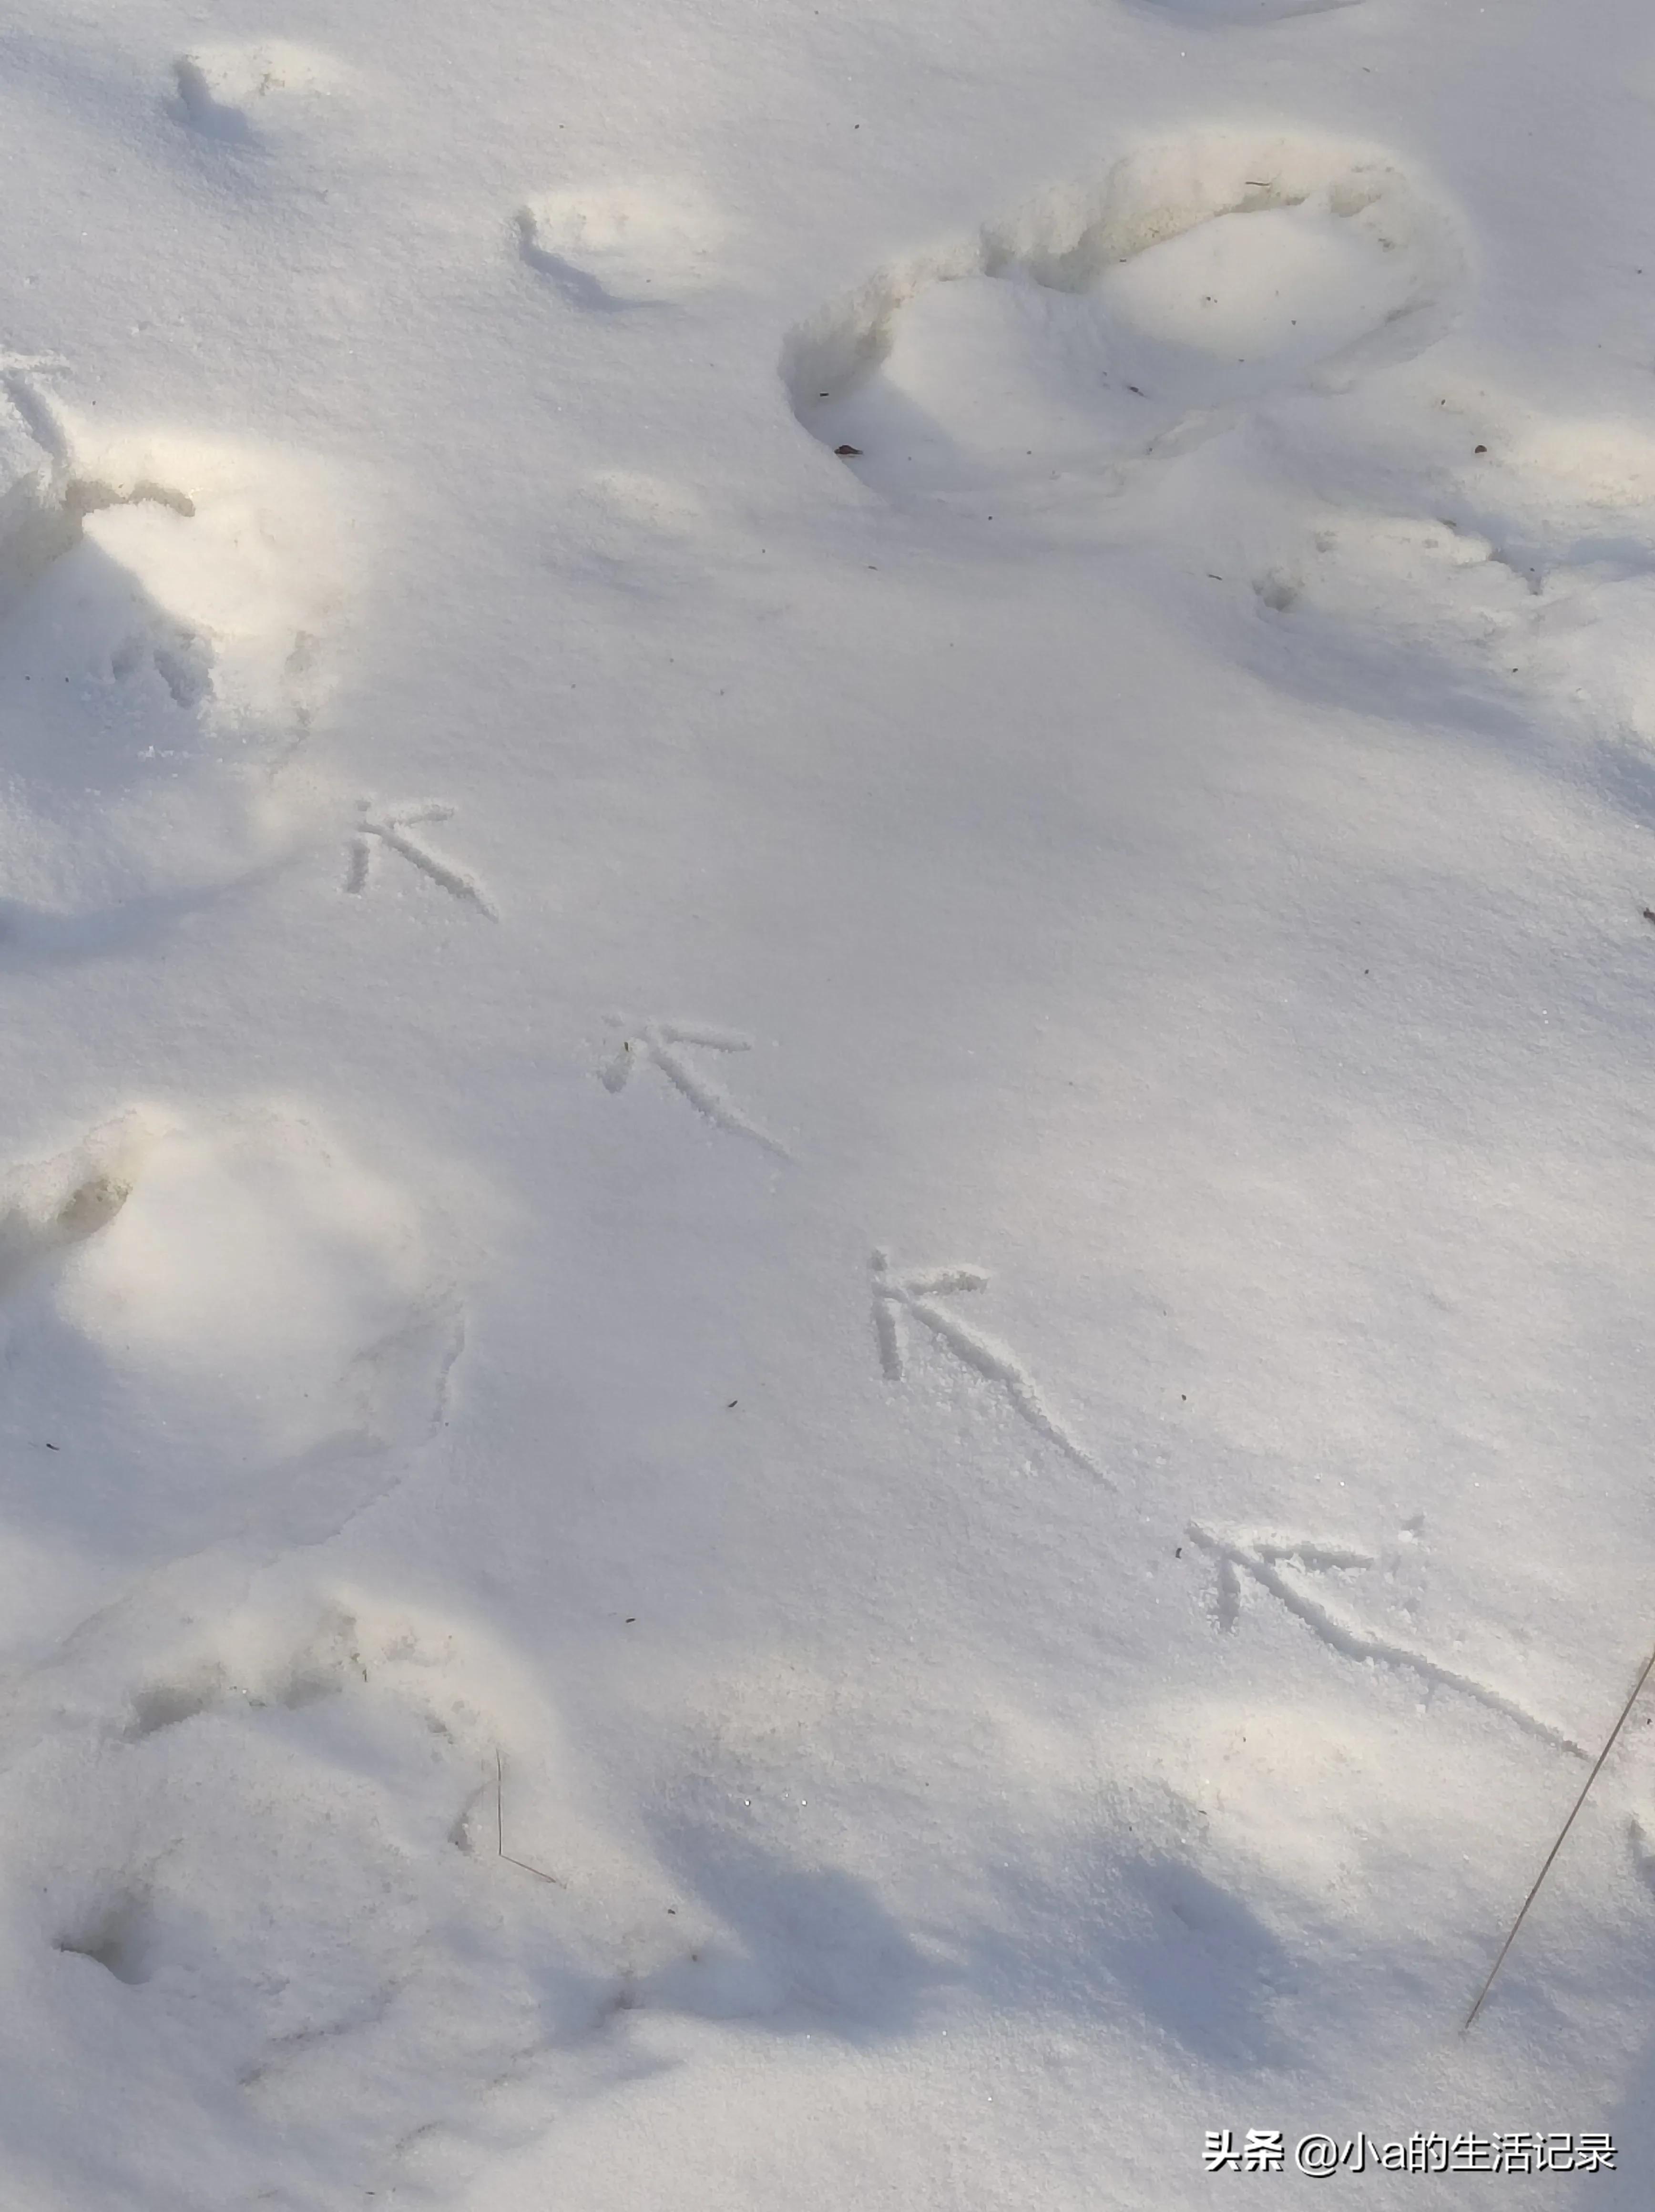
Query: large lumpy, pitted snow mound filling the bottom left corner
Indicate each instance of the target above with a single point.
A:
(258, 1875)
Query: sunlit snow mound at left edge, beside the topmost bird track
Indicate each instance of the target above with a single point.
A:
(165, 607)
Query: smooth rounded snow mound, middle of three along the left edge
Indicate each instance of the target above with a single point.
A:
(211, 1328)
